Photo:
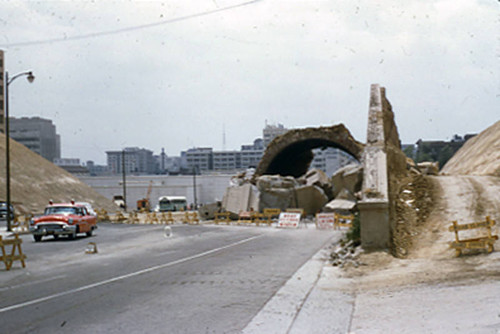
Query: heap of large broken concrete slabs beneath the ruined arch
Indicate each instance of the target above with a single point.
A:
(313, 192)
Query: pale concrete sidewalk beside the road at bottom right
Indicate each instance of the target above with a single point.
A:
(318, 299)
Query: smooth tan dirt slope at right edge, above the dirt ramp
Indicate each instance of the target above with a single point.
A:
(479, 155)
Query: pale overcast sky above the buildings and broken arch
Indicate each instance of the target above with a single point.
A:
(212, 73)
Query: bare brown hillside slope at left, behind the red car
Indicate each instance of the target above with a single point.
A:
(35, 180)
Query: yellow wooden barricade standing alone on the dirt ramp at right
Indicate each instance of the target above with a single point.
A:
(484, 242)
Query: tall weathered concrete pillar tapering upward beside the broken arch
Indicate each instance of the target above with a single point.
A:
(383, 164)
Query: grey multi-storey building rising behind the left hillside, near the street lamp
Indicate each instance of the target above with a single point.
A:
(37, 134)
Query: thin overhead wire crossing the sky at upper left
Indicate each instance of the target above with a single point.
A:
(127, 29)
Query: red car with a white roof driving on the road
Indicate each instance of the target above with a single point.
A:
(63, 219)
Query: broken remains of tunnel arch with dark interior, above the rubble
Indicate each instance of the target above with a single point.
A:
(290, 154)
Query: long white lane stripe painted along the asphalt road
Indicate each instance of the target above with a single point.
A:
(118, 278)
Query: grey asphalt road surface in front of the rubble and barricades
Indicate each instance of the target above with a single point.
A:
(202, 279)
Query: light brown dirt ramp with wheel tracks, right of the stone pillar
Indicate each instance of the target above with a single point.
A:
(429, 259)
